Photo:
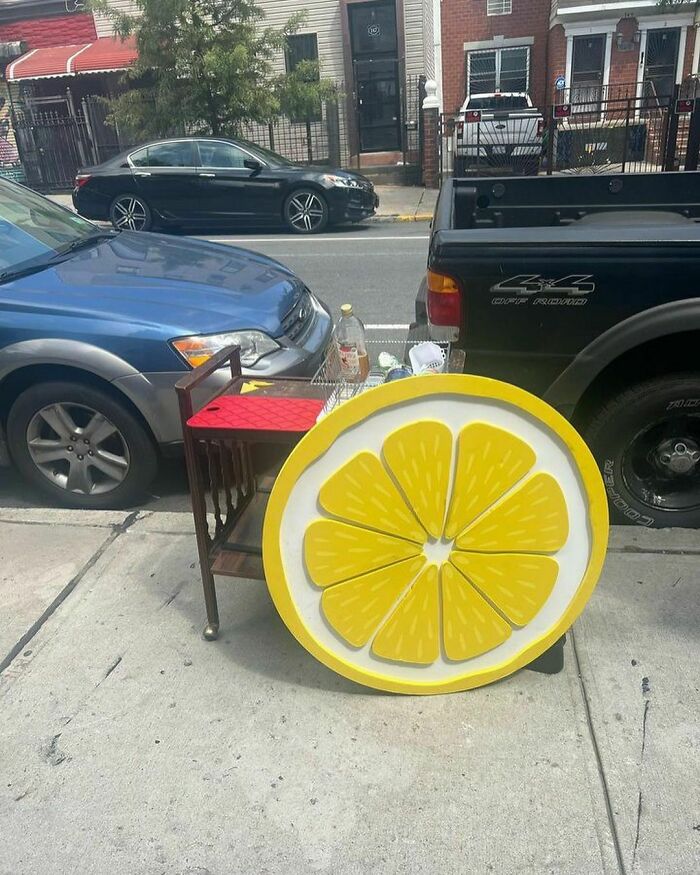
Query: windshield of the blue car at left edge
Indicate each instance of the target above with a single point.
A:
(33, 230)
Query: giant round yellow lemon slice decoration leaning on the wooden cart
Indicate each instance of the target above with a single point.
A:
(435, 534)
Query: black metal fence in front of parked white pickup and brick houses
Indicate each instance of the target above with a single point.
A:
(587, 130)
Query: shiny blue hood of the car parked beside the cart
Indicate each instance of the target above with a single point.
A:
(169, 286)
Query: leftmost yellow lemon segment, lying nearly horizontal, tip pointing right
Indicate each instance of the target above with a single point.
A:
(335, 551)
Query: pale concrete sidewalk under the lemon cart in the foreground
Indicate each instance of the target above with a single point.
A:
(129, 744)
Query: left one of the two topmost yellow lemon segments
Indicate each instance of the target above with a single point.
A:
(419, 456)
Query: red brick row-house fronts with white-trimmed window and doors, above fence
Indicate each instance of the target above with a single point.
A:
(525, 45)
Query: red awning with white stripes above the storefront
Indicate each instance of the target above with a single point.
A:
(105, 55)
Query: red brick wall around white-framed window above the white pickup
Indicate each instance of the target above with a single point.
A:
(467, 21)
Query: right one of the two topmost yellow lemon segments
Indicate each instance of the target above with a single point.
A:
(490, 461)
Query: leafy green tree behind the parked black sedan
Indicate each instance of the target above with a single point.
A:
(205, 66)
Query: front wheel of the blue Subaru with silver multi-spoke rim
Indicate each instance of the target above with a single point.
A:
(80, 446)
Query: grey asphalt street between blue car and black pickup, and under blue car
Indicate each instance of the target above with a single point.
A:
(376, 267)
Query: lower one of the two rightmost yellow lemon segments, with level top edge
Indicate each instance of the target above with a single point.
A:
(518, 585)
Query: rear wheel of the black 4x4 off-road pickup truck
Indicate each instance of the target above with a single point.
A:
(646, 440)
